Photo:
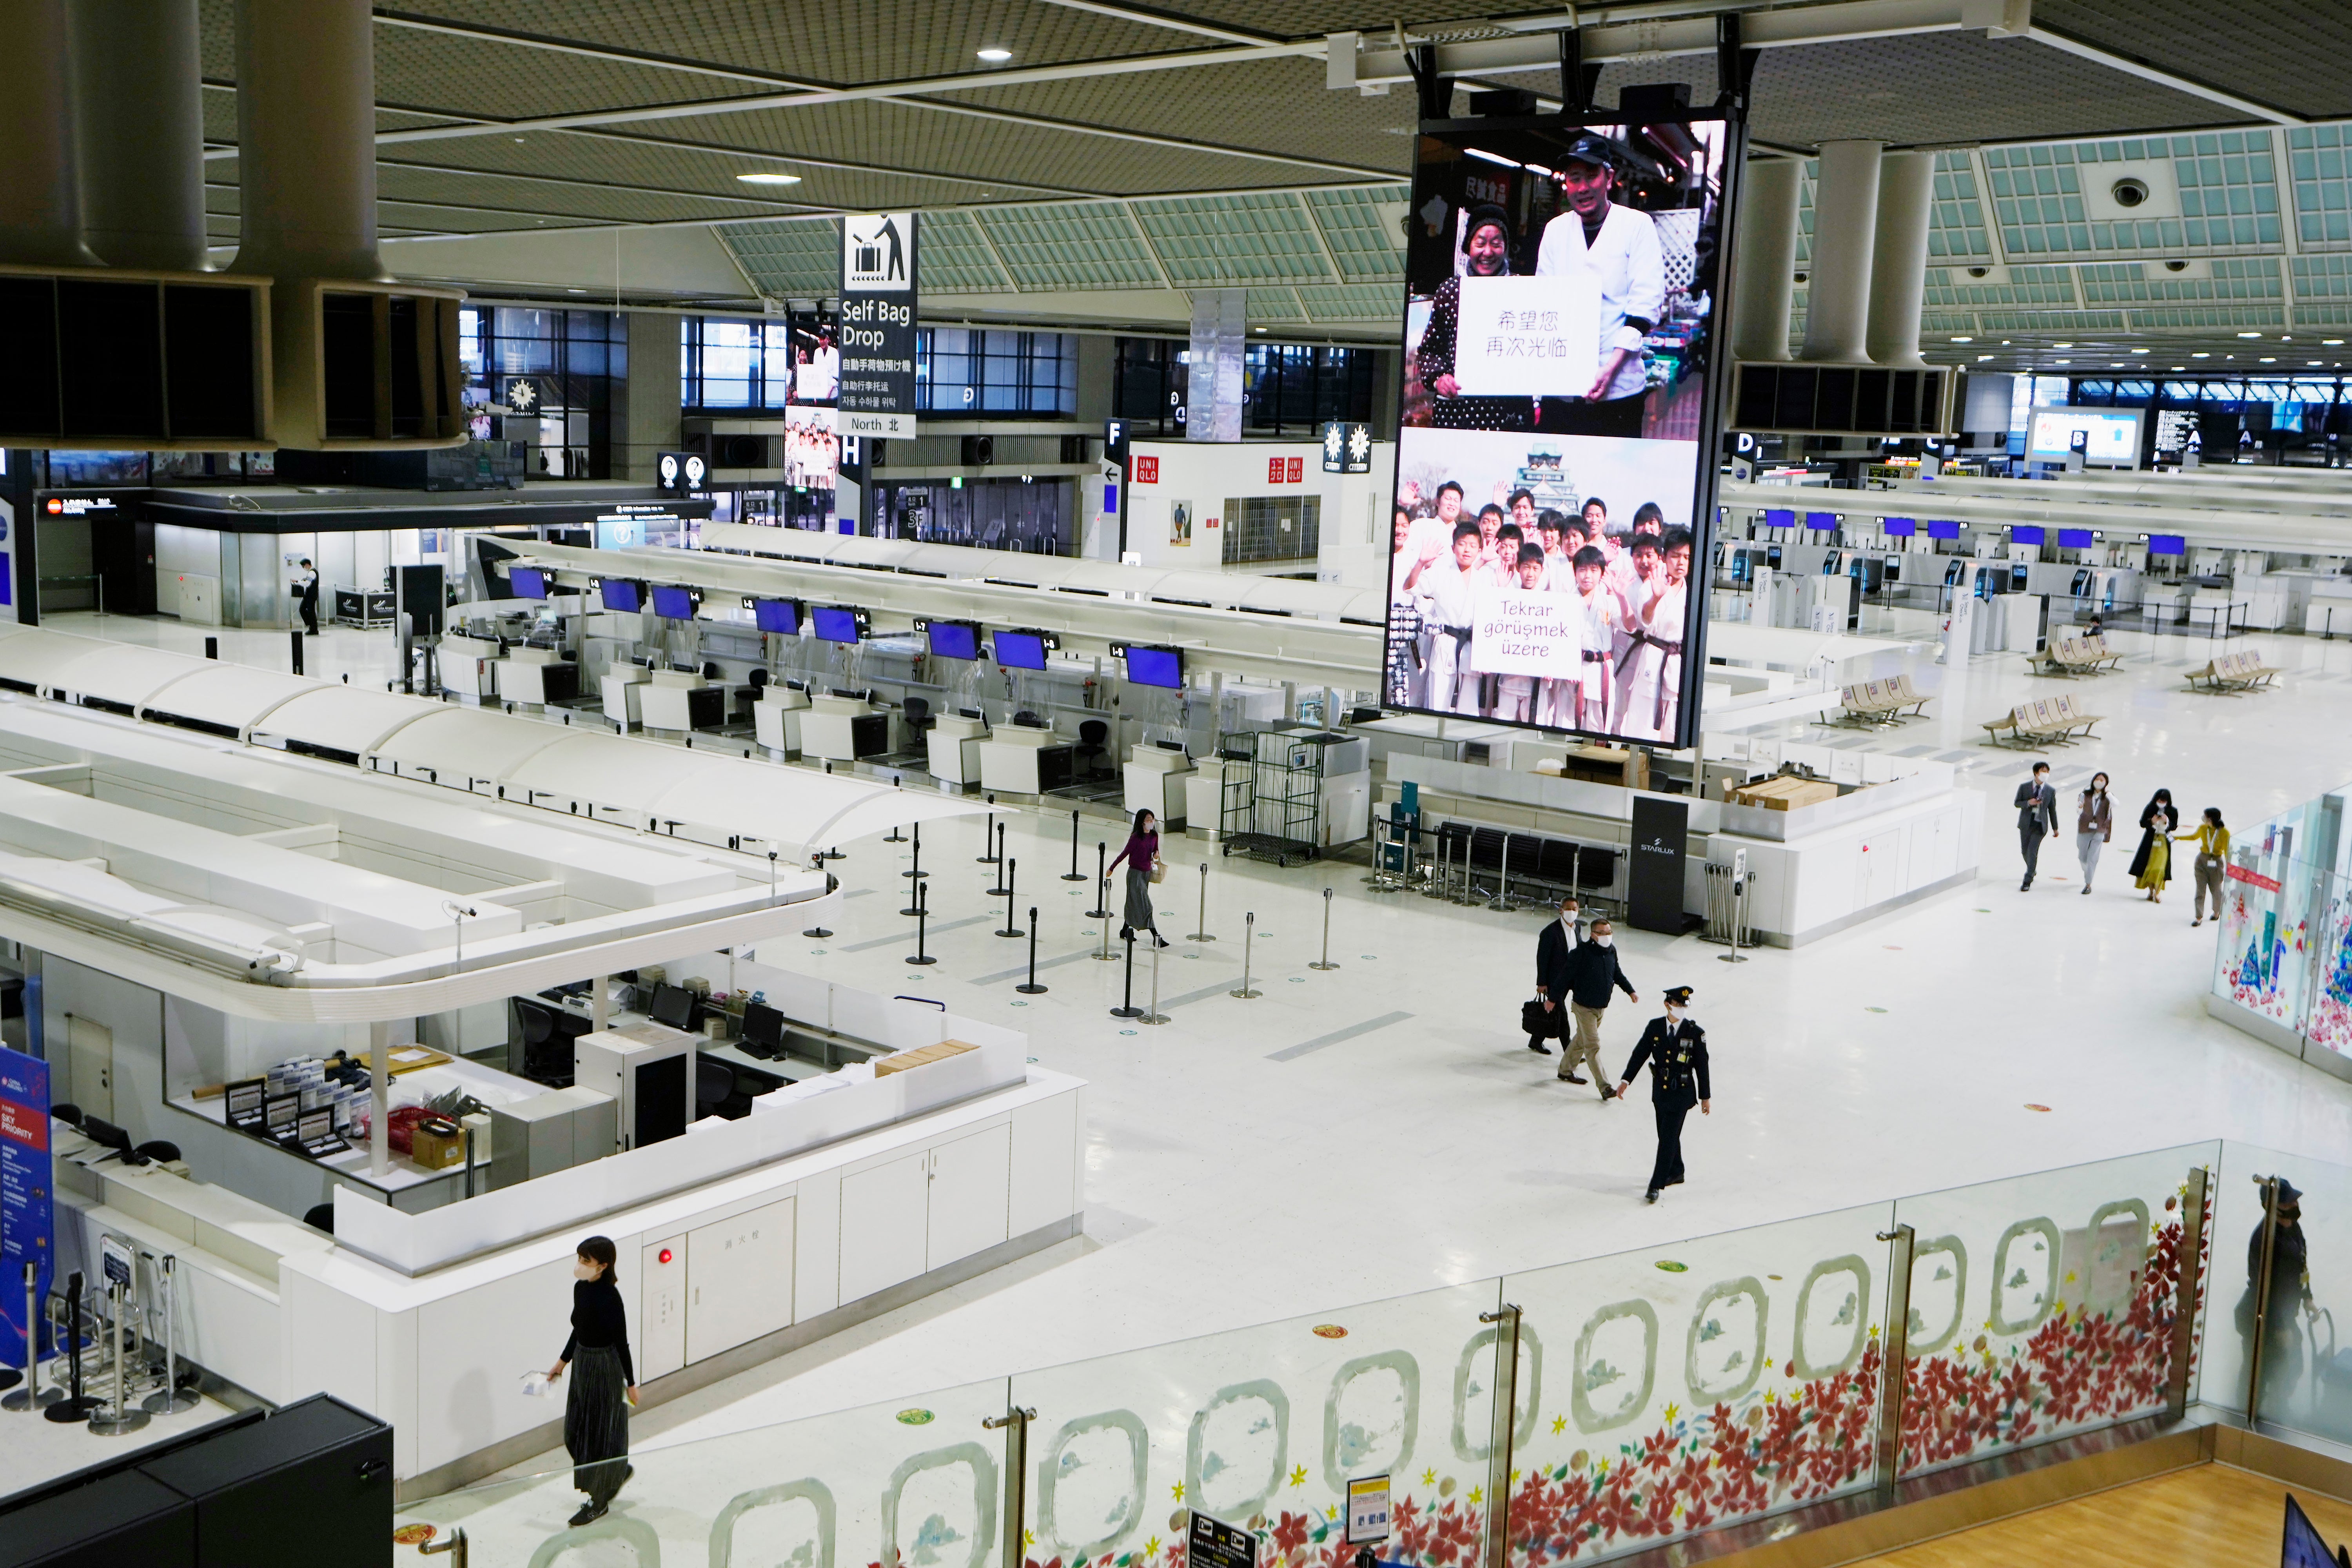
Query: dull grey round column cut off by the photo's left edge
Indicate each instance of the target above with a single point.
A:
(41, 217)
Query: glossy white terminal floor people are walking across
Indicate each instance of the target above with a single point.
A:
(1236, 1177)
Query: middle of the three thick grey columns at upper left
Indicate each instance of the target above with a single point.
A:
(140, 130)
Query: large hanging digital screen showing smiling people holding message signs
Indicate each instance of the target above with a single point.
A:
(1556, 450)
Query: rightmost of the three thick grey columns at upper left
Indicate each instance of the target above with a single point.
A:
(307, 140)
